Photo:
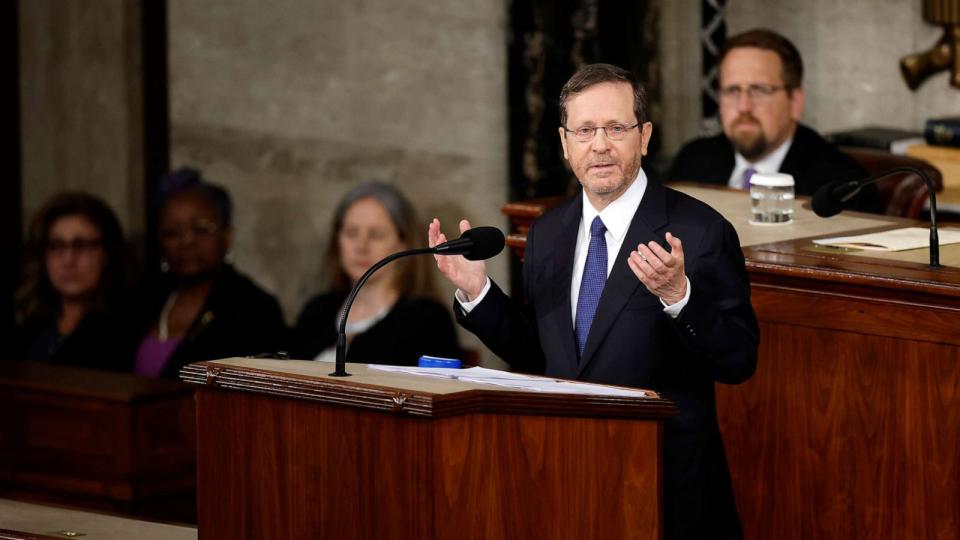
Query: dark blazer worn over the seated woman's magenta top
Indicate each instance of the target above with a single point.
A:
(238, 319)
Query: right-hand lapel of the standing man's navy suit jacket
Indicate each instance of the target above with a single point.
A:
(651, 216)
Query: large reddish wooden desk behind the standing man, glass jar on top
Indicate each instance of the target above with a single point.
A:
(850, 427)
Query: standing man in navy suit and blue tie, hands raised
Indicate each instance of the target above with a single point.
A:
(628, 283)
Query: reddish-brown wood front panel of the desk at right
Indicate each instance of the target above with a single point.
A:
(850, 426)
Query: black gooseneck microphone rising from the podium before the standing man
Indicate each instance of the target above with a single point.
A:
(477, 244)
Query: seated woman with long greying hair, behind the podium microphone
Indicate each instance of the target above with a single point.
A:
(393, 319)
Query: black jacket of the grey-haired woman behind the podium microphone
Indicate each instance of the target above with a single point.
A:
(413, 327)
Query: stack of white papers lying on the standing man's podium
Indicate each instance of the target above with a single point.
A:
(519, 381)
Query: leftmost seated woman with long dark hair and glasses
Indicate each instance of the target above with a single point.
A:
(69, 305)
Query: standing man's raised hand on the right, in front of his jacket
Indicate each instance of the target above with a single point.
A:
(661, 271)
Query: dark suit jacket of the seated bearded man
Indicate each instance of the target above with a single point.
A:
(811, 160)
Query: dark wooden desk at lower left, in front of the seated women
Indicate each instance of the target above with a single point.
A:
(106, 441)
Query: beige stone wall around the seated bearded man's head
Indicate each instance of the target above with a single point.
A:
(851, 51)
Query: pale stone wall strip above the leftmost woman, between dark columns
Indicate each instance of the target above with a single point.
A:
(80, 104)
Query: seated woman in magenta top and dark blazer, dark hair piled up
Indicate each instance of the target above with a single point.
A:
(201, 308)
